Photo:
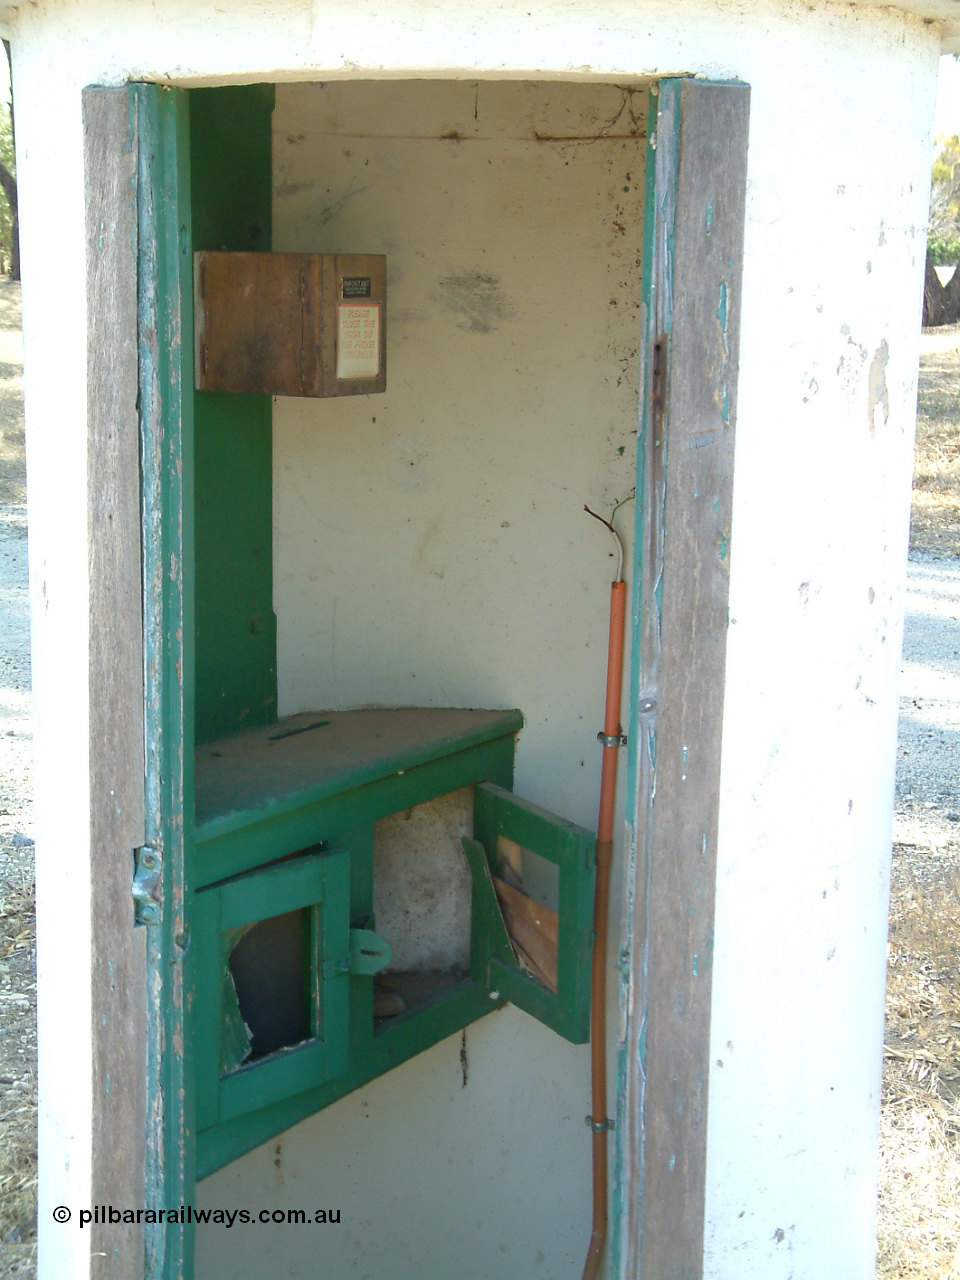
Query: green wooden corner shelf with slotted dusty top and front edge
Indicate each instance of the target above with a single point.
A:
(271, 790)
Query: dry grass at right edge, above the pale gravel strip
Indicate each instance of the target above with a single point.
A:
(935, 527)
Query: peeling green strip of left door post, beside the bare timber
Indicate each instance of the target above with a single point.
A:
(166, 319)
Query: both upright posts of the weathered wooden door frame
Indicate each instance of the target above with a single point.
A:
(139, 264)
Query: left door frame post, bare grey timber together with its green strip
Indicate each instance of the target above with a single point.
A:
(140, 523)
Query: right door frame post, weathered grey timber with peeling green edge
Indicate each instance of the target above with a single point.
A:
(693, 266)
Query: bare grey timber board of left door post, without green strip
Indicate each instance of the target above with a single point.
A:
(118, 968)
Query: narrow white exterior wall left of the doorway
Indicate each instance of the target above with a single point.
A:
(57, 469)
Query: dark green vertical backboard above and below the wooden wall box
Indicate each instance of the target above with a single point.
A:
(235, 625)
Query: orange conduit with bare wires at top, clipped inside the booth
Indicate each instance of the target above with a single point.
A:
(611, 739)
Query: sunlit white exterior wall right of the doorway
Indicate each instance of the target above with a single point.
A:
(834, 255)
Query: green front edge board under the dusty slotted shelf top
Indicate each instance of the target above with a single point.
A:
(277, 830)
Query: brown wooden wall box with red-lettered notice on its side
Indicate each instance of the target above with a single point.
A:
(291, 324)
